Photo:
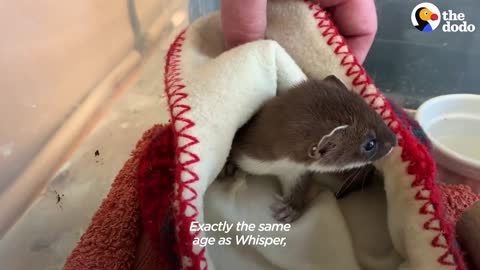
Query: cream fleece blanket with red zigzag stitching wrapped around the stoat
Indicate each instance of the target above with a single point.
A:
(212, 92)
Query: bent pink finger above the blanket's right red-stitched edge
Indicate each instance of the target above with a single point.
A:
(356, 20)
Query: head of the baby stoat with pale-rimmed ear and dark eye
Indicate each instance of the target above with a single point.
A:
(352, 136)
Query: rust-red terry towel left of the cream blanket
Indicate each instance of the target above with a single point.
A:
(115, 238)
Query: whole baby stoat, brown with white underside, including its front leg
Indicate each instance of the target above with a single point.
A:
(316, 126)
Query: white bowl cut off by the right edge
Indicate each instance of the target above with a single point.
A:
(452, 123)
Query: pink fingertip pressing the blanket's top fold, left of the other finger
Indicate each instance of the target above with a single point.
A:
(243, 20)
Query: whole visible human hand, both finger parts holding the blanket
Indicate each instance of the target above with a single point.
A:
(245, 20)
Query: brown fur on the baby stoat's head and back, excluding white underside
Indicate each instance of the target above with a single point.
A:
(288, 125)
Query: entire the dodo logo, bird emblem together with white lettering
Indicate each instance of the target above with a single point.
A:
(426, 17)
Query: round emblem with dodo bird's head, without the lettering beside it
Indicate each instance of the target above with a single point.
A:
(426, 17)
